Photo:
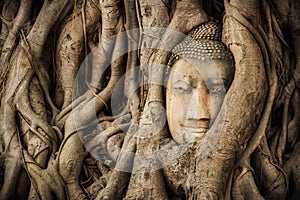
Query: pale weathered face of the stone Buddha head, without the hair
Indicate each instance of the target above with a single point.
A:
(195, 93)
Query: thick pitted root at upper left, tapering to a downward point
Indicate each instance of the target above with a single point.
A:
(70, 47)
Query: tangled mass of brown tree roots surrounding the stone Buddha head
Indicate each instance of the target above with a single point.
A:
(83, 101)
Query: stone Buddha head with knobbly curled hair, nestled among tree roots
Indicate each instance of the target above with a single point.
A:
(200, 71)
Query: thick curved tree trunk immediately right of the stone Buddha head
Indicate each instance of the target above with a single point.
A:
(234, 133)
